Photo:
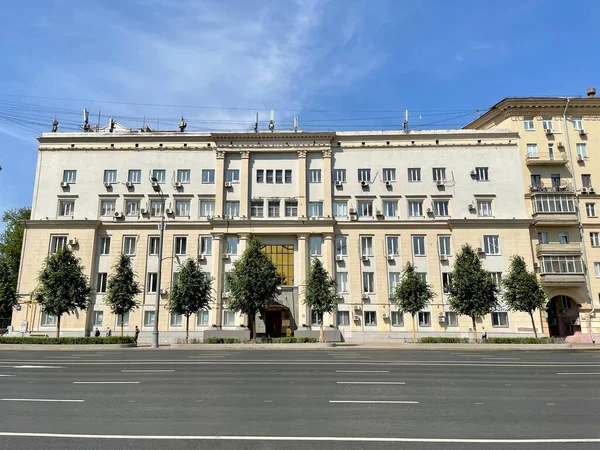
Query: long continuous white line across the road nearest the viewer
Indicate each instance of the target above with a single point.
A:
(304, 438)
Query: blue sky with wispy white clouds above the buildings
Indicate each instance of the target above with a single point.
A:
(346, 64)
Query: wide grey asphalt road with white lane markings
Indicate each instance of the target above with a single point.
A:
(339, 398)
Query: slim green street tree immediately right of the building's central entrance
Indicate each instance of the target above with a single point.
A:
(319, 293)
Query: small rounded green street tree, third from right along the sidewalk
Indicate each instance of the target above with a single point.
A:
(412, 294)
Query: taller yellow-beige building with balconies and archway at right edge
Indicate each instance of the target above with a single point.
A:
(559, 139)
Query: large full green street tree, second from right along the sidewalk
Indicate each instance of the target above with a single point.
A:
(472, 292)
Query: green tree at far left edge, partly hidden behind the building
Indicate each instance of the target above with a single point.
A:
(11, 242)
